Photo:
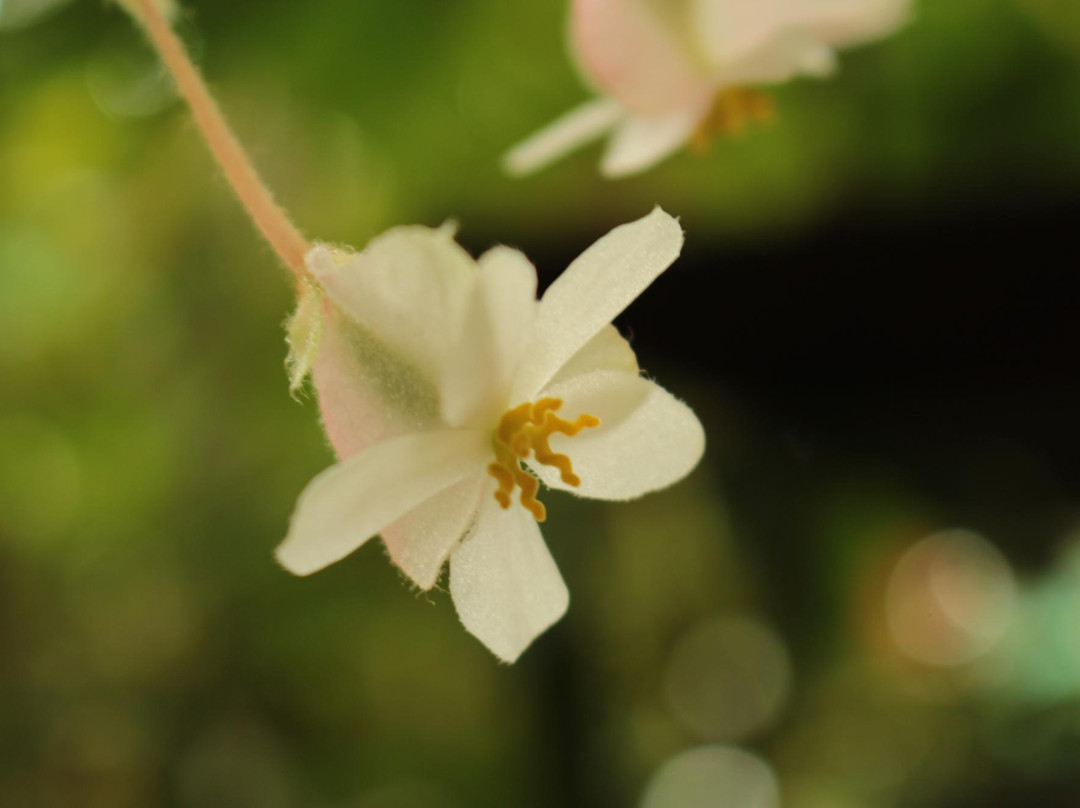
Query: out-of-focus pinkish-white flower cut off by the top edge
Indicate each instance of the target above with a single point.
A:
(672, 72)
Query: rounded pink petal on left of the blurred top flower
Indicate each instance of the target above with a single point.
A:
(626, 49)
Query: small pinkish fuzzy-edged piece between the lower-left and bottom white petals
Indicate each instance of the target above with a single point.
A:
(422, 541)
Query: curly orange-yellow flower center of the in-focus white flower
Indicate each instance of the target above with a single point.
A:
(526, 429)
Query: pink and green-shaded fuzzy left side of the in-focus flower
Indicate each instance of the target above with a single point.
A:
(367, 393)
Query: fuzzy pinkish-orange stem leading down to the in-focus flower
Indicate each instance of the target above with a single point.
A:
(255, 197)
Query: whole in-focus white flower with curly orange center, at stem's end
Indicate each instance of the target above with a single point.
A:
(440, 378)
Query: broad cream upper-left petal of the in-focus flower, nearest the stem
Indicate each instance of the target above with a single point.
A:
(409, 288)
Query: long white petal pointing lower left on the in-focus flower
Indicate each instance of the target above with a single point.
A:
(350, 503)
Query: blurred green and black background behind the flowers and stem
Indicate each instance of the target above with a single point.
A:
(868, 597)
